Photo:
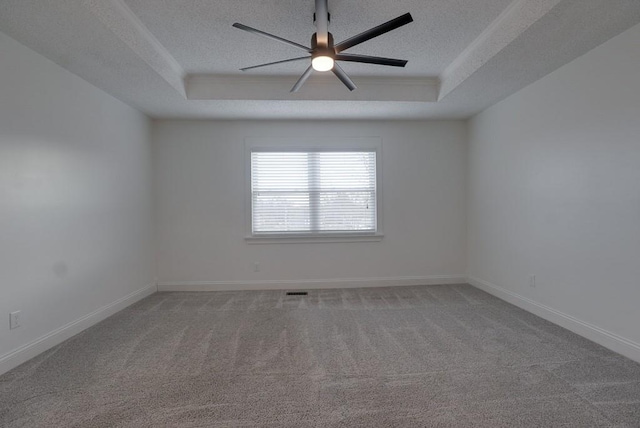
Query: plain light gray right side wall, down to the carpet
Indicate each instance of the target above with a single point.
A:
(554, 191)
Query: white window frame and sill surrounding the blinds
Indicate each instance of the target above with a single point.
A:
(332, 144)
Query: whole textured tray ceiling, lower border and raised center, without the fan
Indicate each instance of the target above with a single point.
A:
(483, 50)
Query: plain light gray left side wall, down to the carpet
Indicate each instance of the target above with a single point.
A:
(75, 202)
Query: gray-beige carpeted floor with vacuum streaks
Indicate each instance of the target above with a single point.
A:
(432, 356)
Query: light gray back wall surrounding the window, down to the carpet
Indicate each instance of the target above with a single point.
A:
(200, 205)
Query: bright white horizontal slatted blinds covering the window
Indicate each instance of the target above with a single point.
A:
(313, 192)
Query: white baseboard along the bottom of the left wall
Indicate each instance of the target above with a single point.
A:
(24, 353)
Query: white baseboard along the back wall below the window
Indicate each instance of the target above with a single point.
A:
(310, 283)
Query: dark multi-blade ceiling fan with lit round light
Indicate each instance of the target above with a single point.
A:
(324, 53)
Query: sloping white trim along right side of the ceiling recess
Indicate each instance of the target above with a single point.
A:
(512, 22)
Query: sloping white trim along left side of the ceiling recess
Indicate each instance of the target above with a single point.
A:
(121, 20)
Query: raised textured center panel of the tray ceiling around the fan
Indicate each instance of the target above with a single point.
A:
(199, 35)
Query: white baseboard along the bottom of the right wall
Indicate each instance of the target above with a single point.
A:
(609, 340)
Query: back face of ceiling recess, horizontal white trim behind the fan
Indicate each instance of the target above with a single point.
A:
(318, 87)
